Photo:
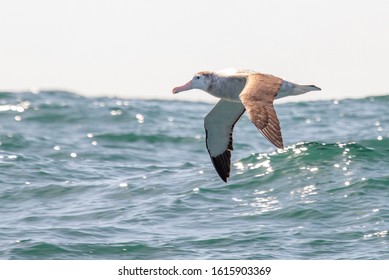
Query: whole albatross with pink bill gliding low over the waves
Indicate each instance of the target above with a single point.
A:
(240, 90)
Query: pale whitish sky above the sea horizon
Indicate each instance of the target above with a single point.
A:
(142, 49)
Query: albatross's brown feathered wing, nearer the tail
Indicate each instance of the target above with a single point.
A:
(257, 97)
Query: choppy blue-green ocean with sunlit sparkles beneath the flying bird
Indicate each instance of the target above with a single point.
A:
(111, 178)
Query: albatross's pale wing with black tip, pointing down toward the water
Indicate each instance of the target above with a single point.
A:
(219, 124)
